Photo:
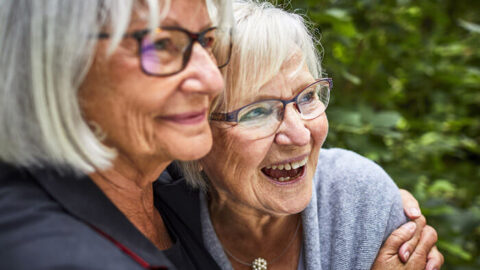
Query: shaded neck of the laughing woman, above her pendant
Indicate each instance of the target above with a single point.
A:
(248, 233)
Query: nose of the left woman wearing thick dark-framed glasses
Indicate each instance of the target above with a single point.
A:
(201, 73)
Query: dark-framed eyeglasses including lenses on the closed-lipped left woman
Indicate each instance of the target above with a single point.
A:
(166, 50)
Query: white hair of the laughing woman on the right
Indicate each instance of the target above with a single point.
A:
(265, 38)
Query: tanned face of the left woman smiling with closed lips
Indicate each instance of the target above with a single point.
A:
(147, 118)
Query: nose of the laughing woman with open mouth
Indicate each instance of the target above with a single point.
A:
(292, 130)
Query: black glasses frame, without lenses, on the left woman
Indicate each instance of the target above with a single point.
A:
(193, 36)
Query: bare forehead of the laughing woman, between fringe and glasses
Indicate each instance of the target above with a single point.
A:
(292, 77)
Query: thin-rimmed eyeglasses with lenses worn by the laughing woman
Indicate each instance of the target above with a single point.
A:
(262, 118)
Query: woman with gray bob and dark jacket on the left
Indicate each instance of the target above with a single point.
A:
(97, 98)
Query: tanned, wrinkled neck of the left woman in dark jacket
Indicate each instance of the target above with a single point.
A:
(130, 188)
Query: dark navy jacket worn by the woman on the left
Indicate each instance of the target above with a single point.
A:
(52, 220)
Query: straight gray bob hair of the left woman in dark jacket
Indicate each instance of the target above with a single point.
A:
(46, 49)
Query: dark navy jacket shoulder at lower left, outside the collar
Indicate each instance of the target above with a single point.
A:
(35, 232)
